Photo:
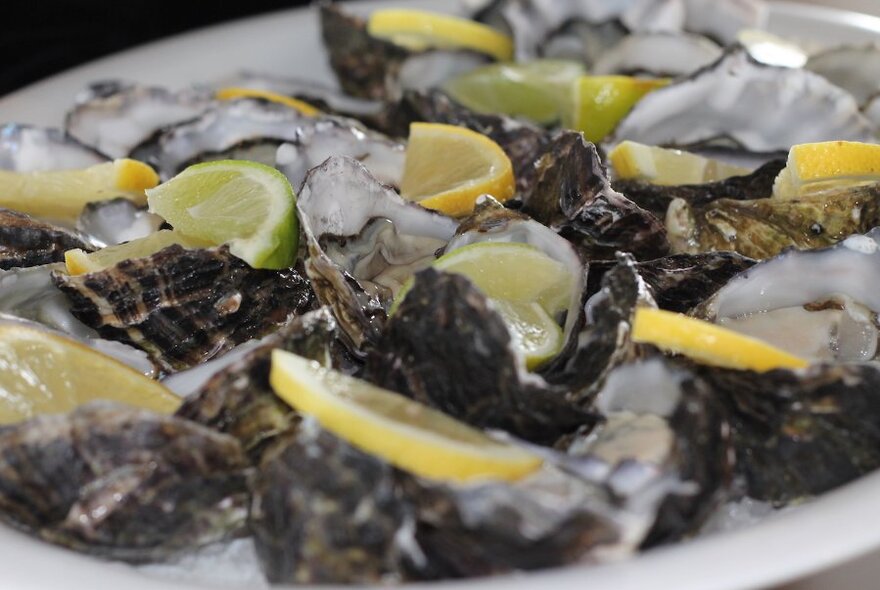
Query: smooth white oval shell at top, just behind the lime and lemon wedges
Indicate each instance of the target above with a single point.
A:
(657, 54)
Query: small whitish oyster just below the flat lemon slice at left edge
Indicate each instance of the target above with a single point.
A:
(105, 223)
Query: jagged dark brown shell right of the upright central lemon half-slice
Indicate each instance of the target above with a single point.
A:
(572, 195)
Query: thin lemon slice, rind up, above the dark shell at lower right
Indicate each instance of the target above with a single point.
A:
(708, 343)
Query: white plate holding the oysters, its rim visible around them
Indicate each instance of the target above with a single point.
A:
(836, 528)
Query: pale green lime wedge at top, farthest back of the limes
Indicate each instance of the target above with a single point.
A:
(538, 90)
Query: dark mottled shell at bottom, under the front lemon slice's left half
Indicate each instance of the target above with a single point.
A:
(325, 512)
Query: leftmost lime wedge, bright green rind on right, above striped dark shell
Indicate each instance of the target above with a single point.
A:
(248, 205)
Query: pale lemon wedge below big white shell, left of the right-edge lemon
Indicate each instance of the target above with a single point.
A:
(655, 165)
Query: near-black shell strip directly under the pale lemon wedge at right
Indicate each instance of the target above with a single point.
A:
(656, 198)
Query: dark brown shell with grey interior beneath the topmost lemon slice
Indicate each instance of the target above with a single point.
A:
(372, 68)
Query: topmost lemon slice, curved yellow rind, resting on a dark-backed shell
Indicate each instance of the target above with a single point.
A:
(420, 30)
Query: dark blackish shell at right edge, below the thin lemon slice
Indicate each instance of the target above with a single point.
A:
(798, 434)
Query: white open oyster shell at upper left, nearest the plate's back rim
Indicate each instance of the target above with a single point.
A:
(115, 117)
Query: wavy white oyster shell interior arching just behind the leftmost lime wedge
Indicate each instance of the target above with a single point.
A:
(273, 134)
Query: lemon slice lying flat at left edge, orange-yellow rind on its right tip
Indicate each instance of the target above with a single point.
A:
(62, 194)
